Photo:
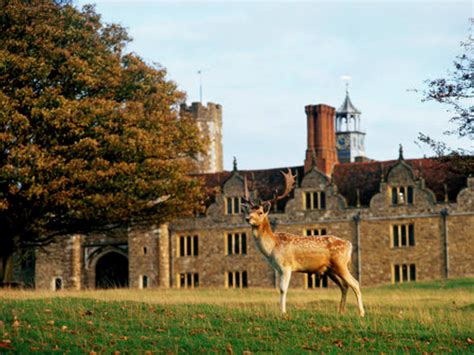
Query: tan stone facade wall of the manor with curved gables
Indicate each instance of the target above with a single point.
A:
(157, 251)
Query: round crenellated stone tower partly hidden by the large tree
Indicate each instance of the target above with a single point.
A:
(209, 120)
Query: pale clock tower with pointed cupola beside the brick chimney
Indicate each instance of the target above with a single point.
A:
(349, 136)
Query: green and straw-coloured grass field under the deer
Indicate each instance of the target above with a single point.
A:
(421, 317)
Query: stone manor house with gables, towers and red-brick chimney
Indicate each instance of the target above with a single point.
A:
(408, 220)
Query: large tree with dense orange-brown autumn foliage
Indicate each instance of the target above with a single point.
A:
(91, 137)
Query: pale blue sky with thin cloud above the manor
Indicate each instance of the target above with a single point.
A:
(263, 61)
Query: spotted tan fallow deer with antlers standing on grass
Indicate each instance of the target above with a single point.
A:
(289, 253)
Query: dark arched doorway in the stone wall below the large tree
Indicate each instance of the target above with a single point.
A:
(111, 271)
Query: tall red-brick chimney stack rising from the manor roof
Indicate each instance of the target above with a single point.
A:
(321, 138)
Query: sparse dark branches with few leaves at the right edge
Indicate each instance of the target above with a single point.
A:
(456, 91)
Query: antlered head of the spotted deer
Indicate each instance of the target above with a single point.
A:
(257, 212)
